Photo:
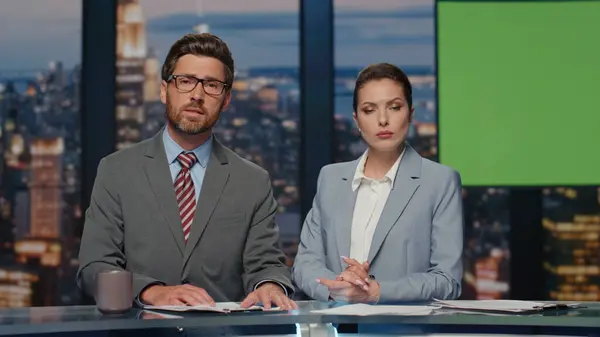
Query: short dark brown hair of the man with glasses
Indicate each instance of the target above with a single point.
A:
(205, 44)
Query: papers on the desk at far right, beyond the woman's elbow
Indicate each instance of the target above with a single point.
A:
(509, 306)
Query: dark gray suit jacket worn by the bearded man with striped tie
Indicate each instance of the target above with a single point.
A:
(133, 223)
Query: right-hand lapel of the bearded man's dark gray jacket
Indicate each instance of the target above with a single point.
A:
(215, 179)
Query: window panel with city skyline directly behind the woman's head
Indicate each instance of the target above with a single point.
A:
(397, 32)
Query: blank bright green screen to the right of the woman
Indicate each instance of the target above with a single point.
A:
(519, 91)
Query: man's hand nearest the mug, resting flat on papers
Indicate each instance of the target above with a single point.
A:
(186, 294)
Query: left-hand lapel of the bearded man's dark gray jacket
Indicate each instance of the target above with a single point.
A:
(159, 178)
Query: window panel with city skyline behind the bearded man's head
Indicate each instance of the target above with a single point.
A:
(262, 122)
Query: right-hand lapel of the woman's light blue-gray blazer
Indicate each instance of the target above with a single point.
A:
(405, 185)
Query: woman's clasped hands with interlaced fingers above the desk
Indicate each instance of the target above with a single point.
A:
(348, 292)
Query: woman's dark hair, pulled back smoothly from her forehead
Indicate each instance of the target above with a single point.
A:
(381, 71)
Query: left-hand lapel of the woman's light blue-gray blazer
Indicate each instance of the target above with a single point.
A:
(345, 211)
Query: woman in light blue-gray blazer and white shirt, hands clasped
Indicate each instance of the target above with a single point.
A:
(388, 226)
